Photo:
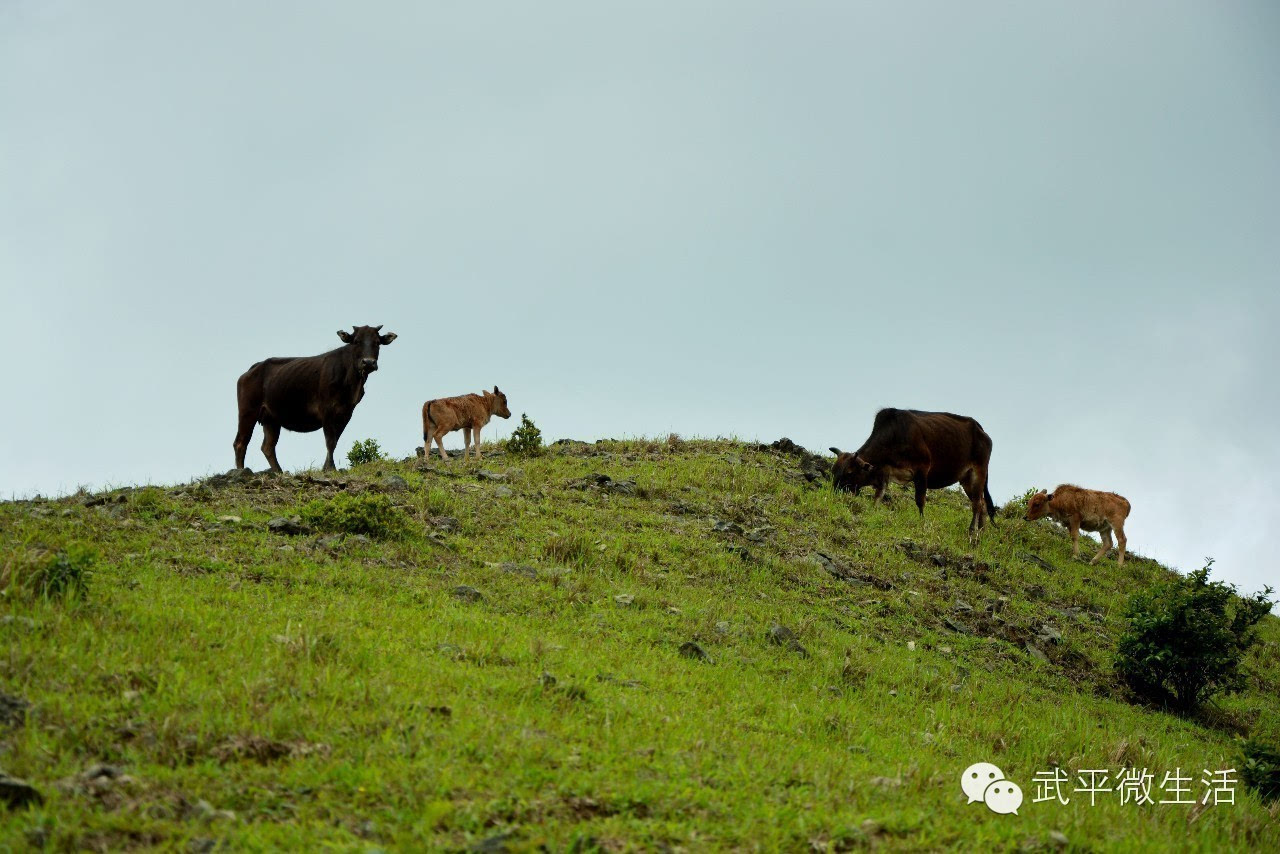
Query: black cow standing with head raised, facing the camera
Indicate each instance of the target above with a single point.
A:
(307, 394)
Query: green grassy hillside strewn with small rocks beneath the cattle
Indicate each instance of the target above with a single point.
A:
(680, 646)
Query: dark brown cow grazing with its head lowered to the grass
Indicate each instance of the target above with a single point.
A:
(932, 450)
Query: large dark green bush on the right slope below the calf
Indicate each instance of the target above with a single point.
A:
(1186, 640)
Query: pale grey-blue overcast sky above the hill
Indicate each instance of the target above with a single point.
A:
(751, 220)
